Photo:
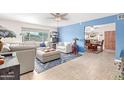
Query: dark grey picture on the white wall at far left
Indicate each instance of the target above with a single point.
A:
(6, 33)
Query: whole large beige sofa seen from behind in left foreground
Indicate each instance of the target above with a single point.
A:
(26, 55)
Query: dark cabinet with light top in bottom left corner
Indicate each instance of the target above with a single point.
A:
(10, 70)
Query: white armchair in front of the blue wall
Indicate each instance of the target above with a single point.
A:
(64, 47)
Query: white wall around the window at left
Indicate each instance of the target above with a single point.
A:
(16, 27)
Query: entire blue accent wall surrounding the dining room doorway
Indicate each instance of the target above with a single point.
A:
(67, 33)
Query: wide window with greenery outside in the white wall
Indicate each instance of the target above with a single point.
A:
(34, 35)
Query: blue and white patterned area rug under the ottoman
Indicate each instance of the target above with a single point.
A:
(40, 67)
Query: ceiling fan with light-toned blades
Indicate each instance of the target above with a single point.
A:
(59, 16)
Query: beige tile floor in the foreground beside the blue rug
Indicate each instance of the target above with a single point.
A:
(87, 67)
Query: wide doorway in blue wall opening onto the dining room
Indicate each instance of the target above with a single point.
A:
(103, 35)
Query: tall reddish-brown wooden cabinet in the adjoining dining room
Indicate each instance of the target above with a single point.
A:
(110, 40)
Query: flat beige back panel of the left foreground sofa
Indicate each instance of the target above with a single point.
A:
(26, 58)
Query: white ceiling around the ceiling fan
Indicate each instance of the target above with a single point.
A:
(42, 18)
